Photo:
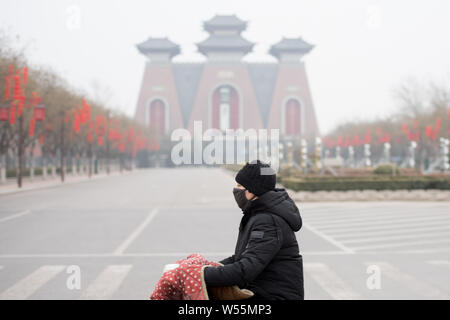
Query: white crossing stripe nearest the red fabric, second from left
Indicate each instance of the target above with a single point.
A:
(106, 283)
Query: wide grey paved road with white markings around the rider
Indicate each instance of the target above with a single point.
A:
(121, 230)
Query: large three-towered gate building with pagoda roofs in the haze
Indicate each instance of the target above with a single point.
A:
(225, 92)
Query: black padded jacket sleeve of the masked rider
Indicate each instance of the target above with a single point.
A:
(263, 244)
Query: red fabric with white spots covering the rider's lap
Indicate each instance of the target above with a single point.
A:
(186, 282)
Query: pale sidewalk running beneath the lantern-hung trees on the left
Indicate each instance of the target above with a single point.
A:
(39, 182)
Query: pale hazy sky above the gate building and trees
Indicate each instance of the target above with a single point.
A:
(364, 48)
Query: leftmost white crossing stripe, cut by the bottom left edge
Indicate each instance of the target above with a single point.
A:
(30, 284)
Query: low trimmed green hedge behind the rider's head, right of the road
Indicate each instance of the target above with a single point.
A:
(353, 183)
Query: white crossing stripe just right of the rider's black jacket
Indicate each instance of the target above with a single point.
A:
(330, 281)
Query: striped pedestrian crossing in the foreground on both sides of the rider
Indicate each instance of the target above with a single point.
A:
(333, 282)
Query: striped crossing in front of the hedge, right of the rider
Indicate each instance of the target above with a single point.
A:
(370, 227)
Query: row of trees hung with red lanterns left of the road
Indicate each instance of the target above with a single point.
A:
(40, 111)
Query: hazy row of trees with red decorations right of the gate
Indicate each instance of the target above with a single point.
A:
(423, 117)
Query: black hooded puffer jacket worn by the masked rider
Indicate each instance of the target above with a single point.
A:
(266, 258)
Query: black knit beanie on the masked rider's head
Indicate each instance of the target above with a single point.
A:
(257, 177)
